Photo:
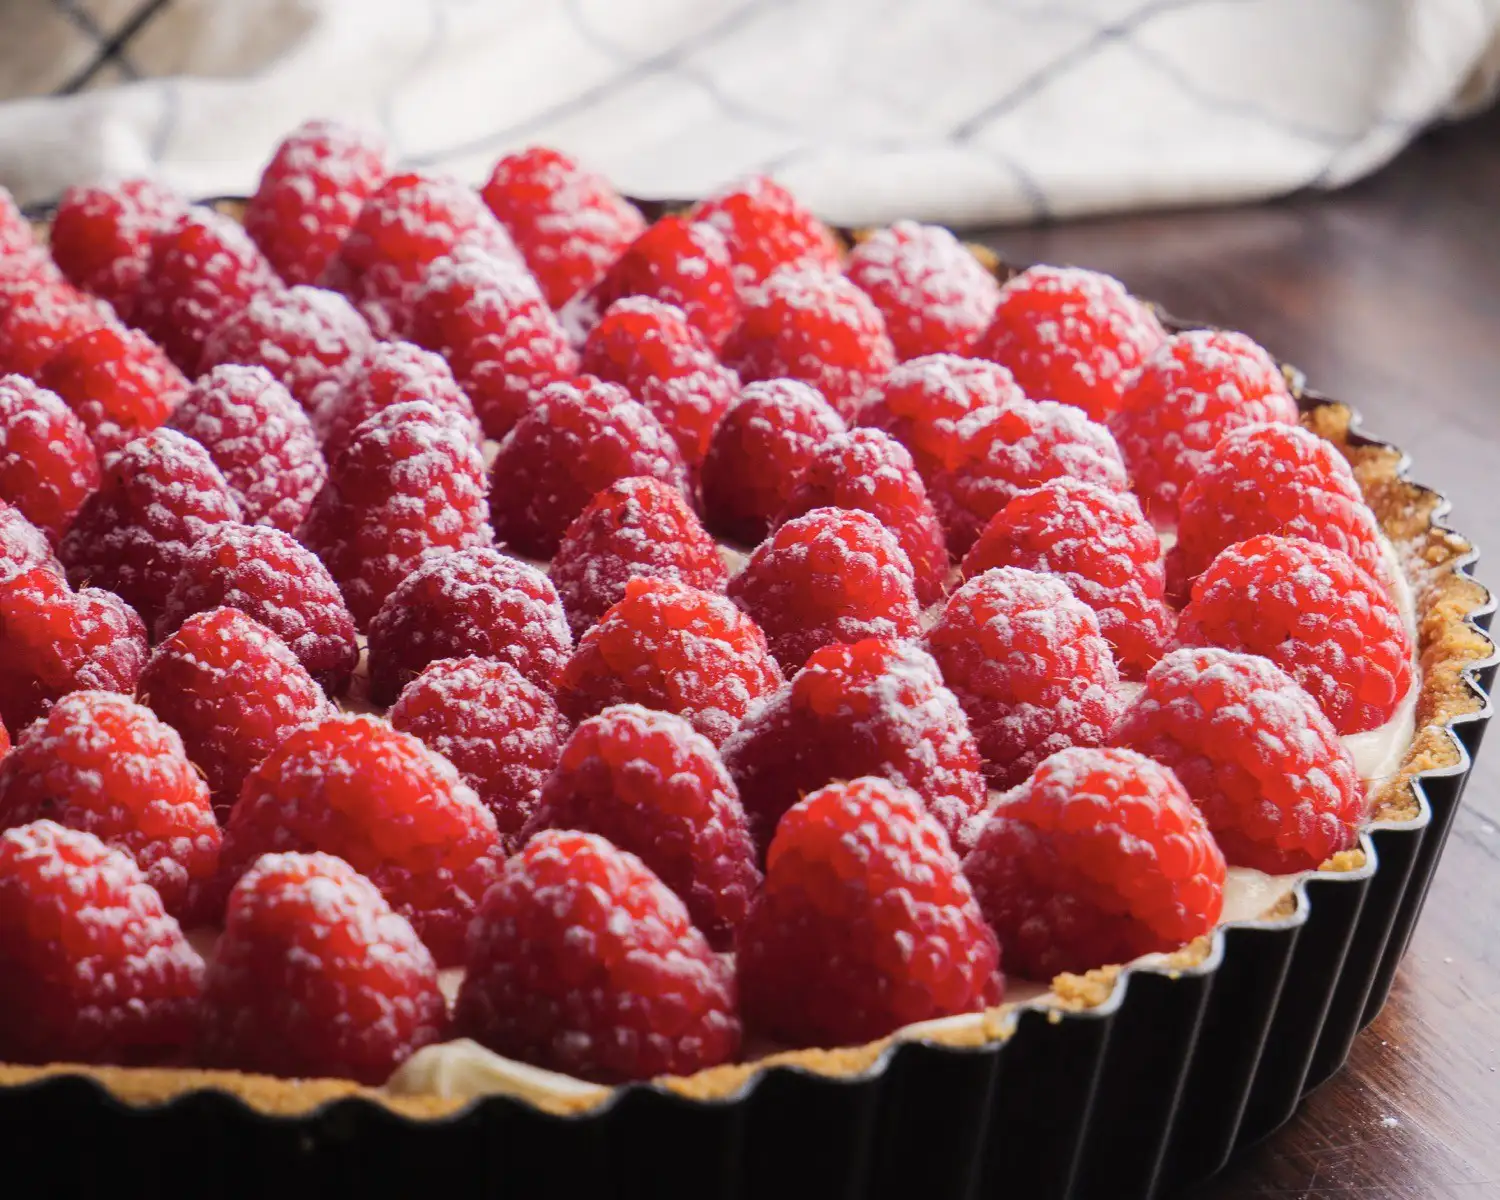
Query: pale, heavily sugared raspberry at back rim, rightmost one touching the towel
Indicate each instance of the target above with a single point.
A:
(937, 298)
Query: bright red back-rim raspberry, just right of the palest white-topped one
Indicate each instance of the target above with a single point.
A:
(1072, 337)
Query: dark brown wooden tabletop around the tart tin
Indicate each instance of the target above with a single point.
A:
(1388, 296)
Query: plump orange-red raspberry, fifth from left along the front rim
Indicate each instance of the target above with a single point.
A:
(1100, 857)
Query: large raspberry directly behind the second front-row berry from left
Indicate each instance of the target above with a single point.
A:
(386, 805)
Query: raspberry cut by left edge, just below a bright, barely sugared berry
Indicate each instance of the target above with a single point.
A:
(47, 464)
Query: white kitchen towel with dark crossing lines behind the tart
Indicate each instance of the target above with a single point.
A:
(962, 112)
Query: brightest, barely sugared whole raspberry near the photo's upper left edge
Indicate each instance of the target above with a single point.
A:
(118, 382)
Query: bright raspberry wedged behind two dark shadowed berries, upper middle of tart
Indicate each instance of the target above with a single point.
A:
(652, 350)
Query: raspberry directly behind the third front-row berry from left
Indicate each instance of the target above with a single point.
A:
(655, 787)
